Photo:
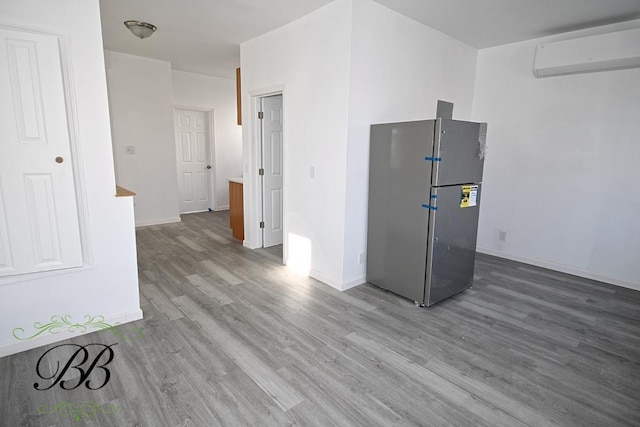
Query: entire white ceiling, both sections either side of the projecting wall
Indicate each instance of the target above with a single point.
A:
(204, 36)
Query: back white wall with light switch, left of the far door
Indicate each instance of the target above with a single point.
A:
(140, 100)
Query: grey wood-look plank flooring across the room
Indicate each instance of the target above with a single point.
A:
(231, 337)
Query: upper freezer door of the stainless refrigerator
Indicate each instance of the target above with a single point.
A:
(457, 152)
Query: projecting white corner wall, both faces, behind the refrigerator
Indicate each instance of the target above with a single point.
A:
(345, 67)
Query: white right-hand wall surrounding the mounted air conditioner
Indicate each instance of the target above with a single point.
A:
(562, 166)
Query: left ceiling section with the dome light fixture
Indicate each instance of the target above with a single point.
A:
(201, 36)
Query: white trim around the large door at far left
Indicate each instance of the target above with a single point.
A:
(79, 179)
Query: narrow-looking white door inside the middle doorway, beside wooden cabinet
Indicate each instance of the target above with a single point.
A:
(272, 164)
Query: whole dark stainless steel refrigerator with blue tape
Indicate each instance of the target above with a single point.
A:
(425, 182)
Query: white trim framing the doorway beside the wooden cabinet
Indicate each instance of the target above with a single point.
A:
(254, 199)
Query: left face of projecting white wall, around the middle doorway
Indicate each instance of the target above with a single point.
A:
(307, 59)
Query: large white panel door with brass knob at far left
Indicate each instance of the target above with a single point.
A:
(39, 227)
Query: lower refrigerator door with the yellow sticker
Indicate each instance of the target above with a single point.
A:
(453, 230)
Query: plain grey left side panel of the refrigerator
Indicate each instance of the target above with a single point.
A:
(399, 184)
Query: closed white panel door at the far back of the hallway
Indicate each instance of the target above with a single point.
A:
(192, 154)
